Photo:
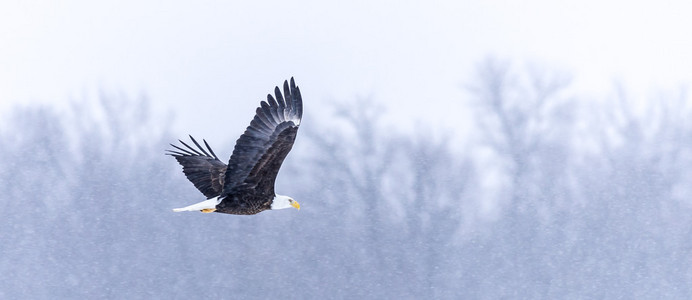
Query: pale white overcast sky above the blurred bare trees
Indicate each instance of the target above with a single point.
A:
(205, 60)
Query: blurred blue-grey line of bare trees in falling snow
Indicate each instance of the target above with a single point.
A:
(556, 196)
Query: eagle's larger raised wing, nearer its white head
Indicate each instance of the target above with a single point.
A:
(259, 151)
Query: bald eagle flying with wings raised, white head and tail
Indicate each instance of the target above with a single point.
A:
(246, 185)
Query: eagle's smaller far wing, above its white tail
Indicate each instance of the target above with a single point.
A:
(202, 168)
